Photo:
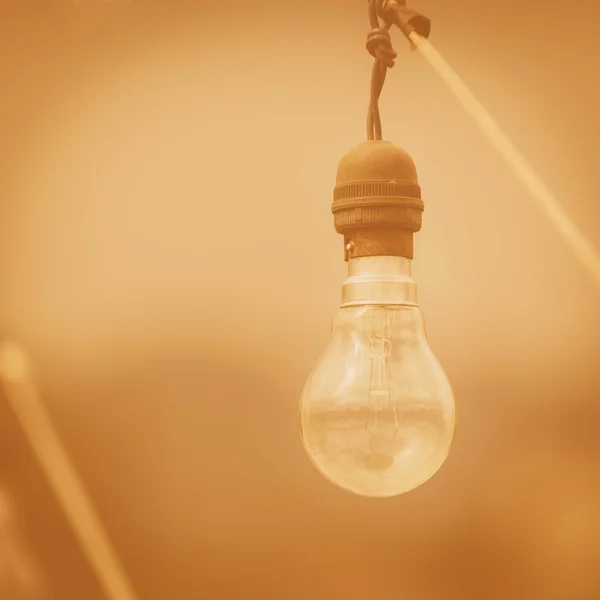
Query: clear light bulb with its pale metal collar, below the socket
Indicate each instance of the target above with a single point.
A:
(377, 414)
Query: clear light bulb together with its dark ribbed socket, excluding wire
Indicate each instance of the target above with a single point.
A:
(377, 414)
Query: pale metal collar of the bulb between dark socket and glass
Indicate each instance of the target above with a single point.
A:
(379, 280)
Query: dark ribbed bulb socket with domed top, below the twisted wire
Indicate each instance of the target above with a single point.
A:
(377, 203)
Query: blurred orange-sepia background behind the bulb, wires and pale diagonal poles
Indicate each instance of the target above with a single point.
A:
(168, 259)
